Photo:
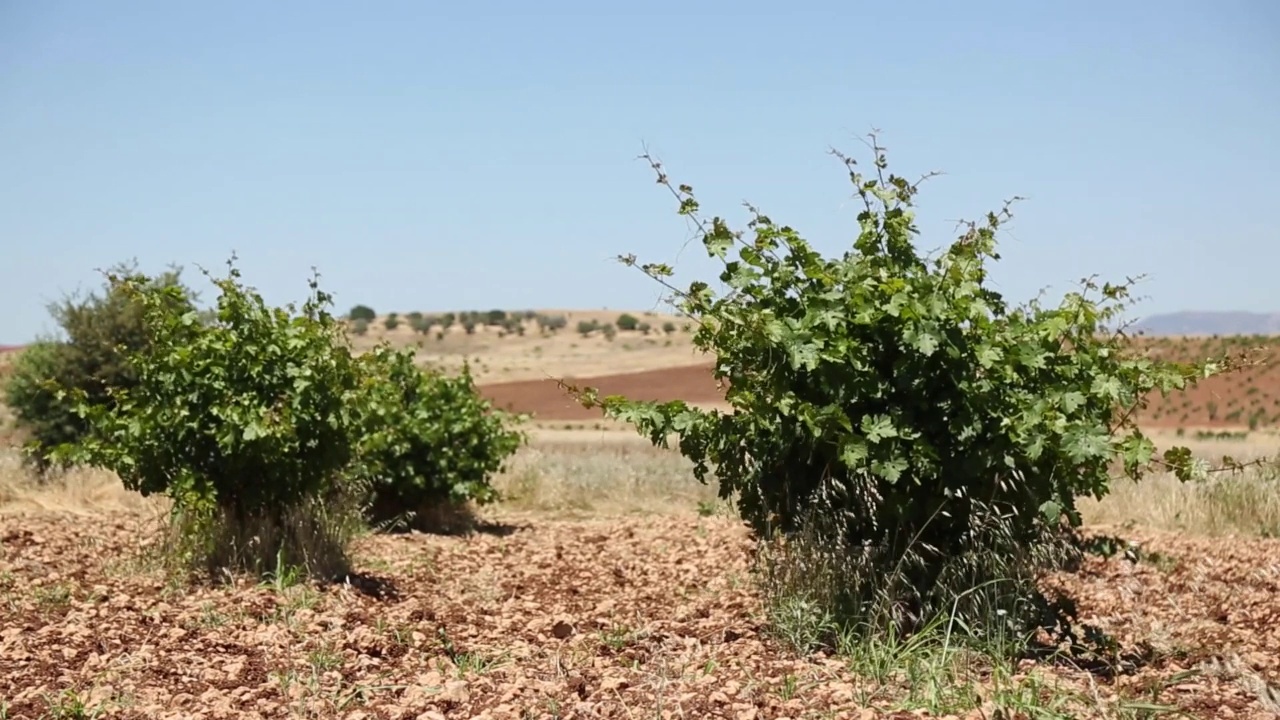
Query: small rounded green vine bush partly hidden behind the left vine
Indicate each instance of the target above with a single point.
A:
(427, 441)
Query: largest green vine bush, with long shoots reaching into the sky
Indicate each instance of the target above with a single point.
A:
(920, 438)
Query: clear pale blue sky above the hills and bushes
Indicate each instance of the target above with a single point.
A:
(429, 156)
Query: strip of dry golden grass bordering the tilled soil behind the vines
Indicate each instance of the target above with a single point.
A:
(587, 472)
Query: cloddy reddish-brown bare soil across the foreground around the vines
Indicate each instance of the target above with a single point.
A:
(538, 618)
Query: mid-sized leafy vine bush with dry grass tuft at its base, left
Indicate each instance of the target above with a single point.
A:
(244, 421)
